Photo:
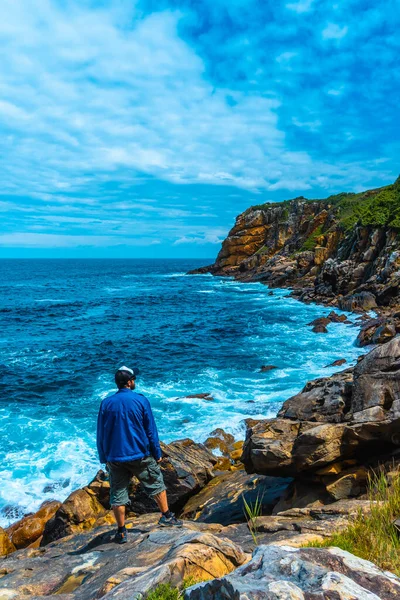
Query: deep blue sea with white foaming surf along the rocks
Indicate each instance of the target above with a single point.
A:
(67, 325)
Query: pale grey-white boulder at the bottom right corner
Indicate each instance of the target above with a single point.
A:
(283, 573)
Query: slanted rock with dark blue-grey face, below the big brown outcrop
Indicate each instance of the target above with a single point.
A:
(221, 501)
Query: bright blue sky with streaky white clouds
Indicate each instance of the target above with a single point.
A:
(141, 129)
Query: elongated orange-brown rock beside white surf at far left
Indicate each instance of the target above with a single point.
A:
(30, 529)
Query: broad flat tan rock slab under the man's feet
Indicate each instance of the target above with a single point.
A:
(89, 565)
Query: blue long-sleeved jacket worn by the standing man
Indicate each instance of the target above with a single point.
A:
(126, 429)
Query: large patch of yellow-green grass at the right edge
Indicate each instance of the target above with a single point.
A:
(373, 536)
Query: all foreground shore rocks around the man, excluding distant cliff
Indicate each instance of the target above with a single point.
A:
(309, 465)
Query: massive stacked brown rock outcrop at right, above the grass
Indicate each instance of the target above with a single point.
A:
(352, 416)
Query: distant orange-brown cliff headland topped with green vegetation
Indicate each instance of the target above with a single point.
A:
(324, 249)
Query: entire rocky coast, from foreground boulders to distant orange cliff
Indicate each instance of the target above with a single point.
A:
(310, 465)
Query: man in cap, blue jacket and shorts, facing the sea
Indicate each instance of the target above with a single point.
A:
(127, 440)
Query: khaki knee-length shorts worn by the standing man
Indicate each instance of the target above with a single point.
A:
(146, 470)
